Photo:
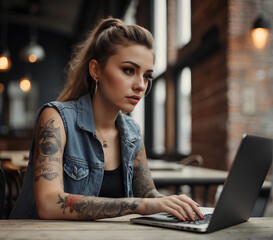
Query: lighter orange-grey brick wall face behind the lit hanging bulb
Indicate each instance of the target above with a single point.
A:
(250, 78)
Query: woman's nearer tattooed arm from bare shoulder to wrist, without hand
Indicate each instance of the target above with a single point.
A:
(51, 200)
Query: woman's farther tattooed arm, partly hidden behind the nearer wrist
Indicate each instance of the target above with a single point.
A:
(143, 184)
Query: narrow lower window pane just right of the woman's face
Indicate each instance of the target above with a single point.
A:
(159, 116)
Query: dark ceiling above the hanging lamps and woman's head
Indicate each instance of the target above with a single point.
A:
(66, 17)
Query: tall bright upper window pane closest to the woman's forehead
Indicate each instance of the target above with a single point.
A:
(160, 36)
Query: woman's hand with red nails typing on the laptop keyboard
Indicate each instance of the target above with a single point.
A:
(180, 206)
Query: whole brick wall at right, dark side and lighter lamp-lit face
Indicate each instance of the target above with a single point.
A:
(231, 87)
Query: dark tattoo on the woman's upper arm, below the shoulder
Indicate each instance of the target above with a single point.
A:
(48, 146)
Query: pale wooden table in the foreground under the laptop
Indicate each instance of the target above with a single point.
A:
(120, 228)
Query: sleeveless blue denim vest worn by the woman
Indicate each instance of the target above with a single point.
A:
(83, 158)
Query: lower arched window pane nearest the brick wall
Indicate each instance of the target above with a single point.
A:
(184, 112)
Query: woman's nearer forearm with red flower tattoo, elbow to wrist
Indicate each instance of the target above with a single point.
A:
(79, 207)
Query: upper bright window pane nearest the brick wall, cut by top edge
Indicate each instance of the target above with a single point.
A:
(183, 22)
